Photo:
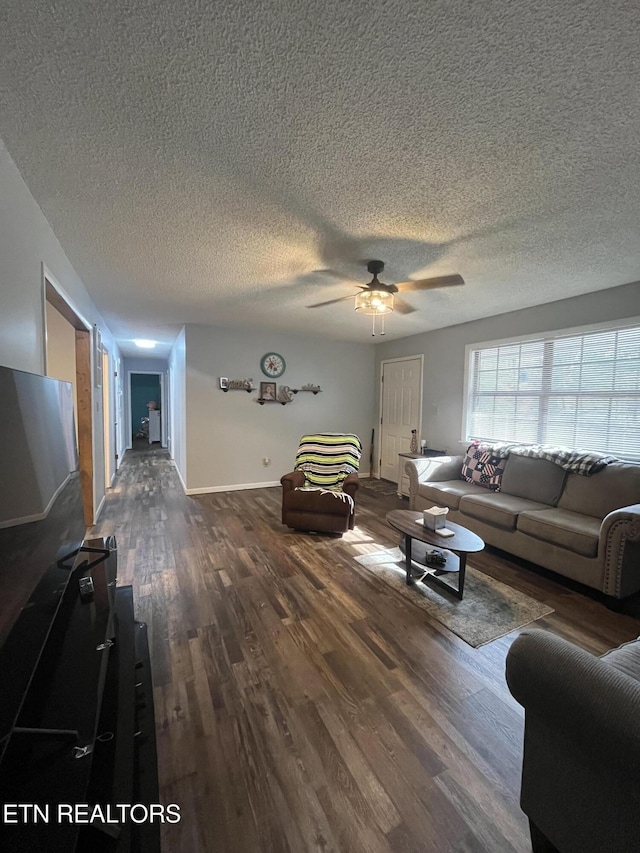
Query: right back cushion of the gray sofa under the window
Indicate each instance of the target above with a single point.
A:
(615, 486)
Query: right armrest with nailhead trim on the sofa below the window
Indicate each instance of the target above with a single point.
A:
(619, 544)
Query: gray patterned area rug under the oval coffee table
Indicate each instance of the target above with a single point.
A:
(489, 609)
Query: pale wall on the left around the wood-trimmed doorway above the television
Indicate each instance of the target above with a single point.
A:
(26, 242)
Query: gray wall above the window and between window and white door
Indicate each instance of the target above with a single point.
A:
(444, 351)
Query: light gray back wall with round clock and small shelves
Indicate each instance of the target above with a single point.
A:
(228, 434)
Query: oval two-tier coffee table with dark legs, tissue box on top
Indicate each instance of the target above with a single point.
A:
(463, 542)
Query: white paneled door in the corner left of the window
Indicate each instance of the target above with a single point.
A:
(401, 411)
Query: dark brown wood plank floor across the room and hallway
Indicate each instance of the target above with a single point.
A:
(302, 705)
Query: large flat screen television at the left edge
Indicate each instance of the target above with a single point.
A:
(41, 524)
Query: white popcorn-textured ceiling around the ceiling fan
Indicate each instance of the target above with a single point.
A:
(198, 161)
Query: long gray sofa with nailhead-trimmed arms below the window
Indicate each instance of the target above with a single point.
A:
(586, 528)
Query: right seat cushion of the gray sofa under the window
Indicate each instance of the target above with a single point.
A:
(571, 530)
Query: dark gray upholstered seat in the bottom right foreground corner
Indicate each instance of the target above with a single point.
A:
(581, 766)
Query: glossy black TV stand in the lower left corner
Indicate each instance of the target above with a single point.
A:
(82, 748)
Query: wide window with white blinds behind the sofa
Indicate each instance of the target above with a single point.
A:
(579, 388)
